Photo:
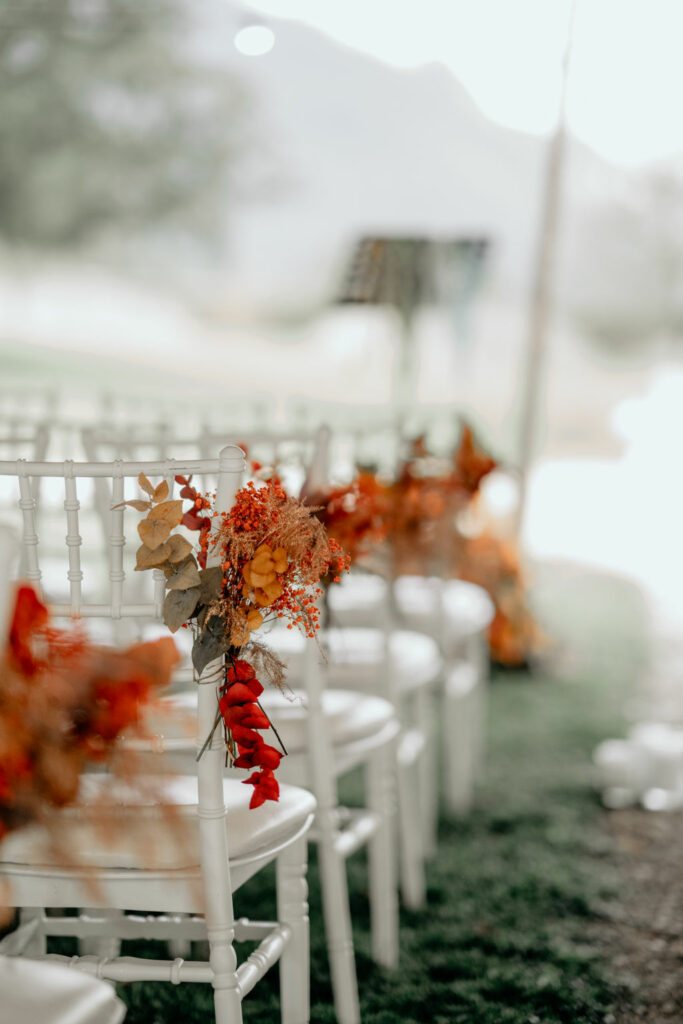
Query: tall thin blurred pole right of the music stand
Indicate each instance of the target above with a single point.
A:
(541, 303)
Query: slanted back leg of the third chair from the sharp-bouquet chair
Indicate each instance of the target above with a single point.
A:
(413, 884)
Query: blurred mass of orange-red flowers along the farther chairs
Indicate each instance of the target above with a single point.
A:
(420, 523)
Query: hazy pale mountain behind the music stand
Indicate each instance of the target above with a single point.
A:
(354, 147)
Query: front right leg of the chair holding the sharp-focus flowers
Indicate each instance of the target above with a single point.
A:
(293, 910)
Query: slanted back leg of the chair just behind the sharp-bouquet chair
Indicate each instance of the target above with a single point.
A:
(337, 922)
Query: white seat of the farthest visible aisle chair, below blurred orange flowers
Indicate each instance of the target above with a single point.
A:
(461, 609)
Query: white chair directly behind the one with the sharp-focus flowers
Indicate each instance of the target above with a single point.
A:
(328, 734)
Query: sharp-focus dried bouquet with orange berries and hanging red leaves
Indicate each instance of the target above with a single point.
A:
(272, 553)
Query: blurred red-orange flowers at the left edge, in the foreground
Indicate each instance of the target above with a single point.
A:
(64, 703)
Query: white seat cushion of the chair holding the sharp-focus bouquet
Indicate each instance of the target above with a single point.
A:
(117, 827)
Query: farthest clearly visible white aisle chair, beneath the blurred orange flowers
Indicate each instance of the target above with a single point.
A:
(454, 614)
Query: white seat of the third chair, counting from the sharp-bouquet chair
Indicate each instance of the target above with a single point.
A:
(357, 658)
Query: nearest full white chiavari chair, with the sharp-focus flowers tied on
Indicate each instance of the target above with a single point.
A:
(183, 883)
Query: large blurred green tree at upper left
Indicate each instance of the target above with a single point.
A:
(109, 121)
